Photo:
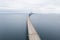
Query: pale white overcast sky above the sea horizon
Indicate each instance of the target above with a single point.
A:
(39, 6)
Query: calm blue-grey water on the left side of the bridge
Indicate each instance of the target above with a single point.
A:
(12, 26)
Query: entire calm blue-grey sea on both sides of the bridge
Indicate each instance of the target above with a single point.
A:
(13, 26)
